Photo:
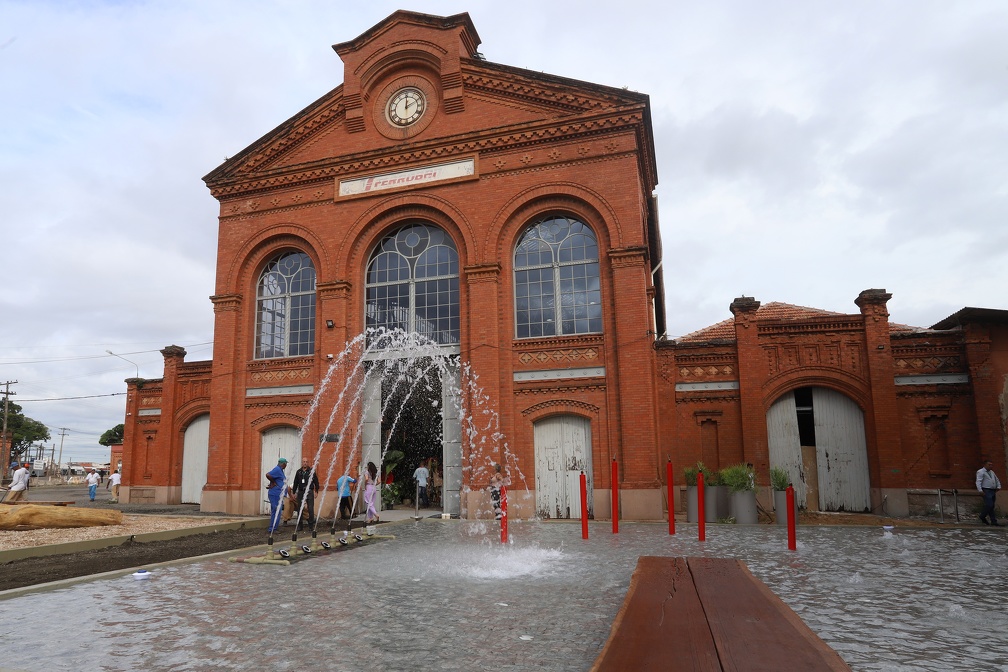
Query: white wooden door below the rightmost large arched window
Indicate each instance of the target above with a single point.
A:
(563, 452)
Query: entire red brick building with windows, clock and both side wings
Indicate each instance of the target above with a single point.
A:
(509, 217)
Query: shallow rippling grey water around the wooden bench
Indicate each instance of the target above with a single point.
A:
(448, 596)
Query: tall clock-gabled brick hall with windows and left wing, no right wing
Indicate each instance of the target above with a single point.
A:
(507, 214)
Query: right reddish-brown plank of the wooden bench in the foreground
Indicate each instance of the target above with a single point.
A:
(754, 630)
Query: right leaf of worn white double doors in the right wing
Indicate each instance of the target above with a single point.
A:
(841, 452)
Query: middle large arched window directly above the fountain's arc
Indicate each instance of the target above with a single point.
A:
(413, 284)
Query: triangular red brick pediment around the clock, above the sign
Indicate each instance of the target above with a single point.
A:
(468, 100)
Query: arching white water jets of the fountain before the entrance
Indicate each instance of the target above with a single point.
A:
(385, 367)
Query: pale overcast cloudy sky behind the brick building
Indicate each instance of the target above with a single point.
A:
(807, 152)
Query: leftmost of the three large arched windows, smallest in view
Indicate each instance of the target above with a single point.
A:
(286, 306)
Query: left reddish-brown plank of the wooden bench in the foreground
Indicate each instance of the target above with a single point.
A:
(662, 625)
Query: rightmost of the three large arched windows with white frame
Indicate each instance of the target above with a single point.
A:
(557, 281)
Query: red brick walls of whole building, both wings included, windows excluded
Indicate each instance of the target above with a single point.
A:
(538, 146)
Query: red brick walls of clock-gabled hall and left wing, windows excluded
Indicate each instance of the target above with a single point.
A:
(539, 146)
